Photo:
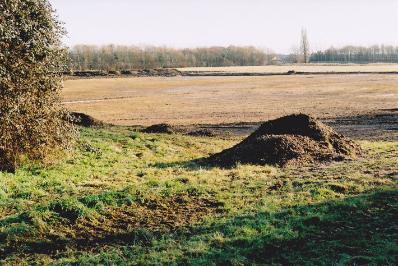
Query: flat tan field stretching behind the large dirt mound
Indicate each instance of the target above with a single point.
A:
(189, 100)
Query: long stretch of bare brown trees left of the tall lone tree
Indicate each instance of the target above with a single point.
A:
(111, 57)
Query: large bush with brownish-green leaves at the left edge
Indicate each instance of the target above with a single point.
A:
(31, 58)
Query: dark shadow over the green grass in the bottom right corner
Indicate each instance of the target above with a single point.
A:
(354, 231)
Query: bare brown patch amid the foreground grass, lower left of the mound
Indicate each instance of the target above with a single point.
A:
(156, 215)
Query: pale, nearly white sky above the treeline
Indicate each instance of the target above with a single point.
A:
(273, 24)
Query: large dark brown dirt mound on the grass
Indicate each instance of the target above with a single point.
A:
(295, 139)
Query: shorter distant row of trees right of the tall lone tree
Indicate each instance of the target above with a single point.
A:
(357, 54)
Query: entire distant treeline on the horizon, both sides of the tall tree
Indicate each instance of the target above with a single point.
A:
(117, 58)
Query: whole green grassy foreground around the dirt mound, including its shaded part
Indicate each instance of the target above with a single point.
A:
(123, 197)
